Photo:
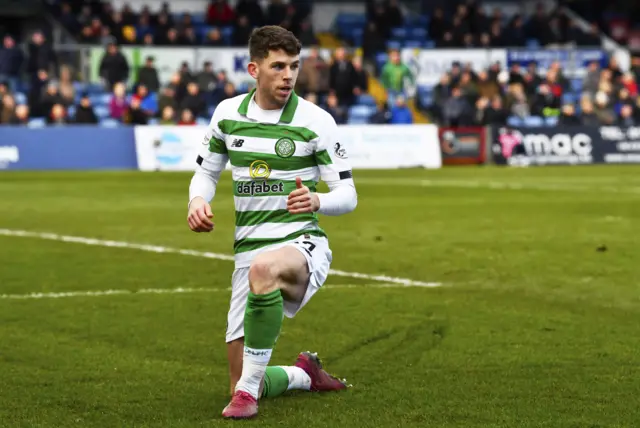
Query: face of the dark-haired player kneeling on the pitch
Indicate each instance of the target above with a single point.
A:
(276, 76)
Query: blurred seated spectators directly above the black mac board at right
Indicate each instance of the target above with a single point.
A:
(604, 96)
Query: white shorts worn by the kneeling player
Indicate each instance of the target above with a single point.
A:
(318, 254)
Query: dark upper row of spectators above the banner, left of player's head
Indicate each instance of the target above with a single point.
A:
(218, 25)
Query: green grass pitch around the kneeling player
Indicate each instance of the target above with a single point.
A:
(536, 324)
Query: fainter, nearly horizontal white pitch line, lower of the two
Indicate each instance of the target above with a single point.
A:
(180, 290)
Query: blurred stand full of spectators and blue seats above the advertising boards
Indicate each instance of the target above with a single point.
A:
(453, 63)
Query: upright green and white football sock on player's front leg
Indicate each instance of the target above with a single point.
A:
(262, 323)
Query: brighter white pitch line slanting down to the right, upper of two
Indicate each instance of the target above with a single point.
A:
(194, 253)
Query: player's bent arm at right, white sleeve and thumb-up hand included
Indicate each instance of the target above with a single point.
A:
(335, 170)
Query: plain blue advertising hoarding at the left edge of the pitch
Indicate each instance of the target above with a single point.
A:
(67, 148)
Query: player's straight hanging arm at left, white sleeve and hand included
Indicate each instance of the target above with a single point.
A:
(211, 161)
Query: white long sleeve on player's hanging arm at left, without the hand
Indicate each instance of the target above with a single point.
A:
(211, 161)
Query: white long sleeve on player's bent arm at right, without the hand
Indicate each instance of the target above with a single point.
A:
(335, 170)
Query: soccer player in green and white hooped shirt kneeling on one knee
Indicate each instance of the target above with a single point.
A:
(279, 146)
